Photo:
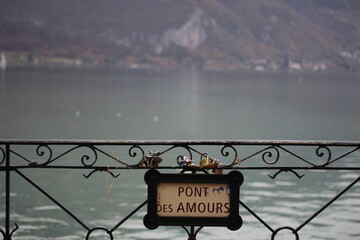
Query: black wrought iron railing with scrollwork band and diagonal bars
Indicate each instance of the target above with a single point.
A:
(274, 157)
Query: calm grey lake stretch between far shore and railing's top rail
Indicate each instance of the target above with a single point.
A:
(185, 105)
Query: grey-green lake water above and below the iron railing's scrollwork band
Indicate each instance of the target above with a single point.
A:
(188, 105)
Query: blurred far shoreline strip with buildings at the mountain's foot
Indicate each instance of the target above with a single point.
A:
(31, 60)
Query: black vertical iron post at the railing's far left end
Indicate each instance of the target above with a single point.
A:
(7, 194)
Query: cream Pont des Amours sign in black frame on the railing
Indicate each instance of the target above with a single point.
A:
(193, 200)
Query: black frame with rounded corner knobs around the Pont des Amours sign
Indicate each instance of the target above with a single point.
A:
(233, 180)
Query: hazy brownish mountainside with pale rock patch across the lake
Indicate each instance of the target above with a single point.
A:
(226, 34)
